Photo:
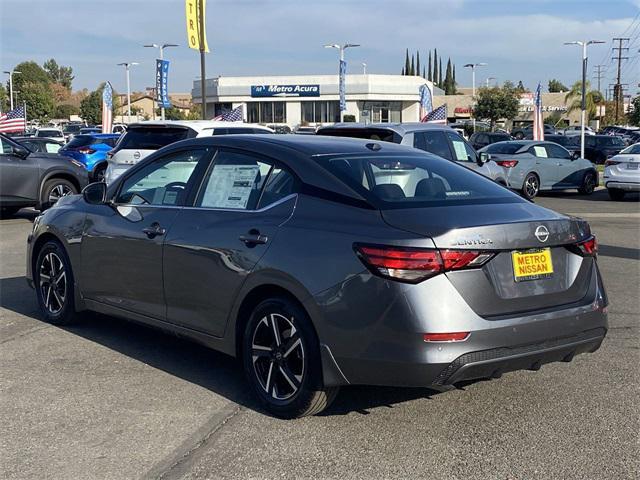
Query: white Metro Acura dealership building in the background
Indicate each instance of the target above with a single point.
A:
(314, 99)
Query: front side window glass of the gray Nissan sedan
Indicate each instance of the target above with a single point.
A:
(163, 182)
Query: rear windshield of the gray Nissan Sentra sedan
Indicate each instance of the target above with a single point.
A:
(414, 181)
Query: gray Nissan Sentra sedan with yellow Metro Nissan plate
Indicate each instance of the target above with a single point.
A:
(323, 261)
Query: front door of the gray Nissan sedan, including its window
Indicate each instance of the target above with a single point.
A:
(122, 242)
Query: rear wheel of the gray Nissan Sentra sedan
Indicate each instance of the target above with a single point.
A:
(281, 359)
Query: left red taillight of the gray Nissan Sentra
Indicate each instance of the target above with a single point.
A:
(417, 264)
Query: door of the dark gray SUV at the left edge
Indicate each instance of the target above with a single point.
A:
(19, 177)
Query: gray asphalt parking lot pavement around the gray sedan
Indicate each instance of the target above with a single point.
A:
(113, 400)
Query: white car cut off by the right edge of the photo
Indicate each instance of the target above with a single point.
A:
(622, 172)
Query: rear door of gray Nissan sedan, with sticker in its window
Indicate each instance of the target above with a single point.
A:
(215, 244)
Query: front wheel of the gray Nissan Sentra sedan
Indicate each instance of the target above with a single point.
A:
(54, 284)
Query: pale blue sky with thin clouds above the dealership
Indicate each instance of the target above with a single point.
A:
(518, 39)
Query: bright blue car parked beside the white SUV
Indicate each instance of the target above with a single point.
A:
(91, 150)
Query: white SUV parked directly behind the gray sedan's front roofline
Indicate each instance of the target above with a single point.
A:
(144, 138)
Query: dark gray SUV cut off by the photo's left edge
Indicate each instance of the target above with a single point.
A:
(34, 179)
